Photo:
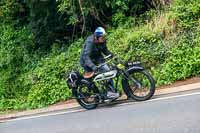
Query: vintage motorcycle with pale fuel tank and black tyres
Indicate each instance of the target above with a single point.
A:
(136, 82)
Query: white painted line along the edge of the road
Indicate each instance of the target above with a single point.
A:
(80, 110)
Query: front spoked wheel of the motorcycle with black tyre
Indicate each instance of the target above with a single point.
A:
(141, 85)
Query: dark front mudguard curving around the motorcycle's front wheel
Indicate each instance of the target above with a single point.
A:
(125, 80)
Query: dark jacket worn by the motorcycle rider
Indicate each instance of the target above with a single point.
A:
(92, 54)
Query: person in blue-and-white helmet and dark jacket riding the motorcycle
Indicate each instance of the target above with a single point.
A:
(92, 54)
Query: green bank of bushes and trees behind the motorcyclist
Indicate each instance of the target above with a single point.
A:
(40, 41)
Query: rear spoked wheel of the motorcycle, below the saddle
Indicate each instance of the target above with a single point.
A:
(87, 99)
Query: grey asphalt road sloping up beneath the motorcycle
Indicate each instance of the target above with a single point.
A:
(179, 113)
